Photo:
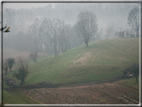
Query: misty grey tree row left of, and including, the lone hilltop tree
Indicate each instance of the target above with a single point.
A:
(55, 36)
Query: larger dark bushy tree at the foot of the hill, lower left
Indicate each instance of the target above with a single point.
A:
(22, 71)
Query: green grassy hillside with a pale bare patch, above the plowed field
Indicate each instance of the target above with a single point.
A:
(102, 60)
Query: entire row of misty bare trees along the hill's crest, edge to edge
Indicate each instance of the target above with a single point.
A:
(55, 35)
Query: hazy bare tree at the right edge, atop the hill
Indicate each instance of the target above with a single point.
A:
(133, 20)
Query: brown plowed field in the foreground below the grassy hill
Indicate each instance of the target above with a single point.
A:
(105, 93)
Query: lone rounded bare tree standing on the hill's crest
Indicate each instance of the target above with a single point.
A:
(86, 25)
